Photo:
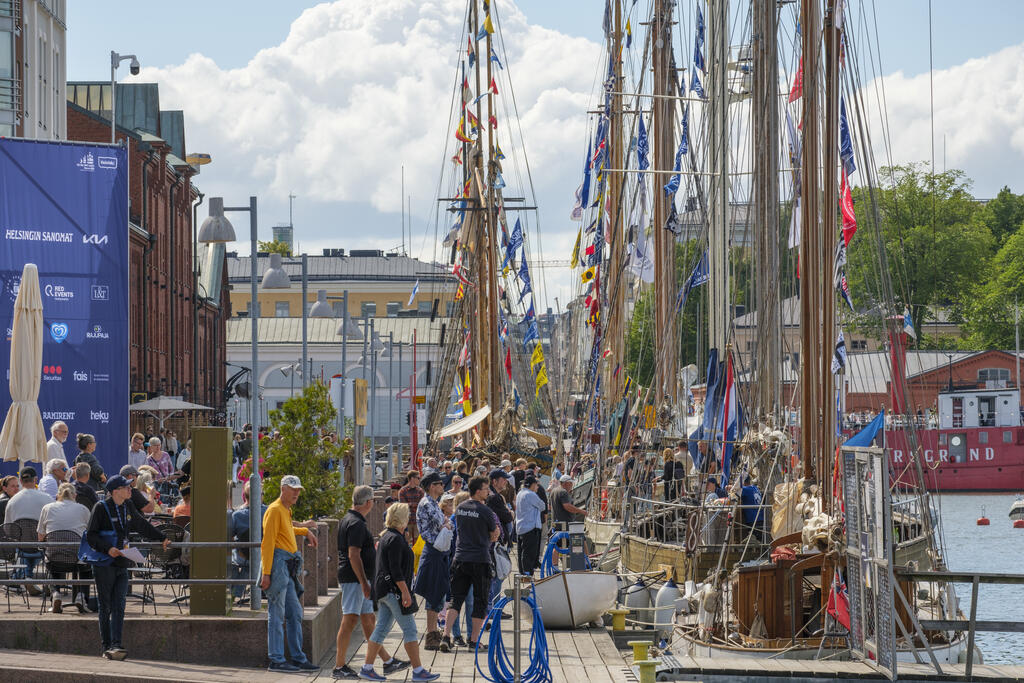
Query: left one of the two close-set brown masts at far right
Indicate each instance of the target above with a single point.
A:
(810, 311)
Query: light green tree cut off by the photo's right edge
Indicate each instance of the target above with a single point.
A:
(990, 313)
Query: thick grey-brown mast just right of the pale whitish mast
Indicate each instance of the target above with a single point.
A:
(765, 114)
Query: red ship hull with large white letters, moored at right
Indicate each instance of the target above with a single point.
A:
(990, 459)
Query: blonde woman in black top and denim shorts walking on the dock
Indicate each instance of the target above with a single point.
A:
(393, 577)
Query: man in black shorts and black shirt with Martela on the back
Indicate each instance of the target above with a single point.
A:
(478, 529)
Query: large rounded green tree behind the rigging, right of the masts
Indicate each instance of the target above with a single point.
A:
(935, 241)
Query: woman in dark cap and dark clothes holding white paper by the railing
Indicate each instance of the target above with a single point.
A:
(105, 547)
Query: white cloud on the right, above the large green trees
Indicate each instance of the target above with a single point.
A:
(979, 106)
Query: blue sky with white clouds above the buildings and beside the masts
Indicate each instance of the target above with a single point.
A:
(330, 101)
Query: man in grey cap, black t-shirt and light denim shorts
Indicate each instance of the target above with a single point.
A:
(357, 561)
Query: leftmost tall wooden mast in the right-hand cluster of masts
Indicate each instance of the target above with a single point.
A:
(616, 277)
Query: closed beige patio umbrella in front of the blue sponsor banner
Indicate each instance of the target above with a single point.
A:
(23, 438)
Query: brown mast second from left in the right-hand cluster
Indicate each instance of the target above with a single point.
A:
(662, 158)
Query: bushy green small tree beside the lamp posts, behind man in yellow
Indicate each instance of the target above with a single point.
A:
(301, 451)
